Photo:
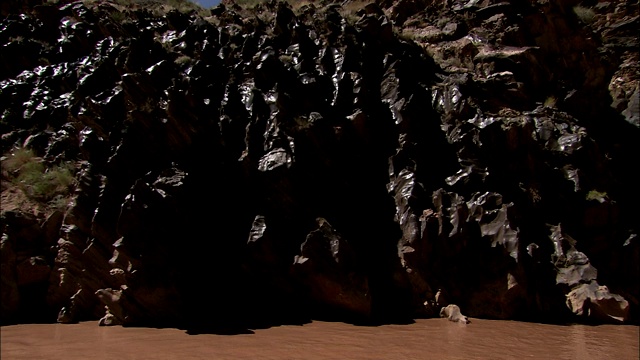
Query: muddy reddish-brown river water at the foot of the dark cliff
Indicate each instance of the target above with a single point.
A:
(424, 339)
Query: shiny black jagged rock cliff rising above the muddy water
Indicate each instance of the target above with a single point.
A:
(253, 166)
